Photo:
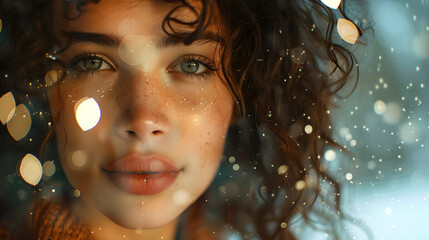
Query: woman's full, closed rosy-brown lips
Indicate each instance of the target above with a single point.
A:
(142, 174)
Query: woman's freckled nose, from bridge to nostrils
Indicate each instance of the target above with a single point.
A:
(142, 107)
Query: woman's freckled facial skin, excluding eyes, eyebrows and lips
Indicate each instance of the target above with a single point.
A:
(145, 109)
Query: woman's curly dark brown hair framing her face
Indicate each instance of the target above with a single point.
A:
(282, 67)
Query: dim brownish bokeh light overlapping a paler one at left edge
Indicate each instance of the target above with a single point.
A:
(20, 124)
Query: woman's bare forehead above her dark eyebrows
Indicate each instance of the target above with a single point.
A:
(122, 17)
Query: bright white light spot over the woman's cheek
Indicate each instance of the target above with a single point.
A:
(88, 113)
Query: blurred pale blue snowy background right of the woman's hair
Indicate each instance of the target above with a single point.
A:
(385, 125)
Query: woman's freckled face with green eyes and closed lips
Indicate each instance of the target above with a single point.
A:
(164, 113)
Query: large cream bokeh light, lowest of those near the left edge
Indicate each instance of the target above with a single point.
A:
(30, 169)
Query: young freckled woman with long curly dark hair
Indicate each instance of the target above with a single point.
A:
(140, 102)
